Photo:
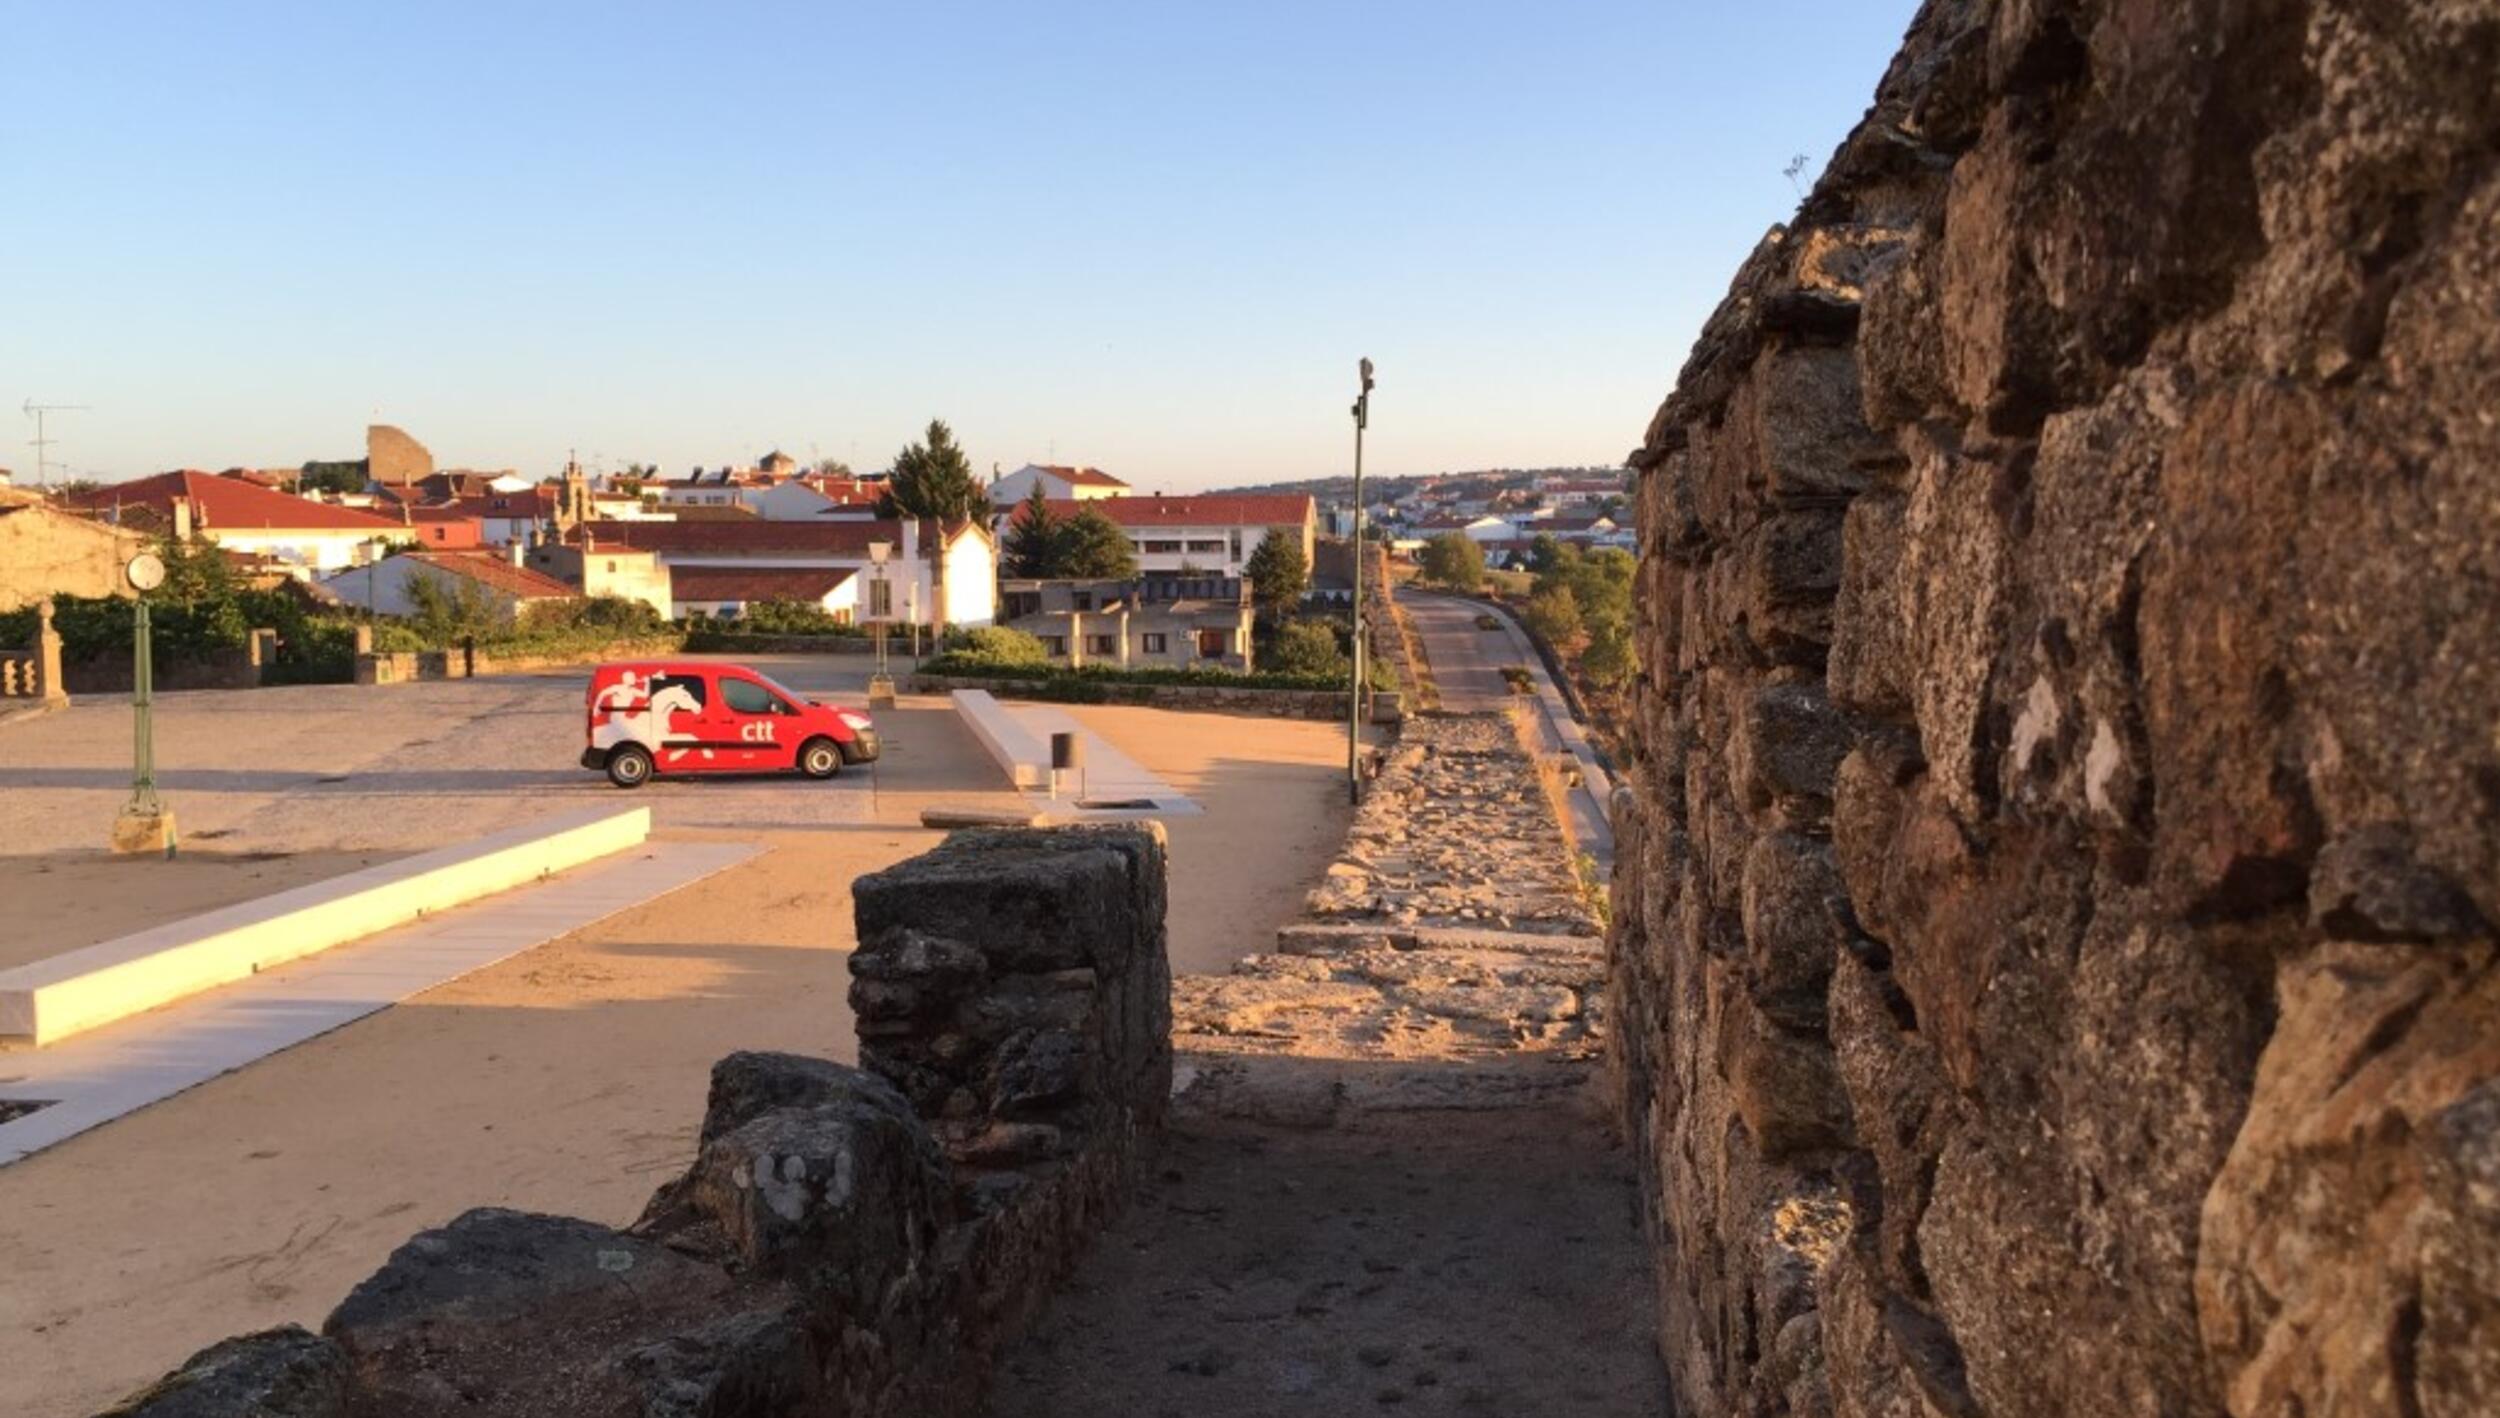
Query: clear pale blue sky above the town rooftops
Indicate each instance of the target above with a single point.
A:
(1141, 236)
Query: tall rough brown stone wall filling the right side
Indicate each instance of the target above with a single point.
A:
(2054, 927)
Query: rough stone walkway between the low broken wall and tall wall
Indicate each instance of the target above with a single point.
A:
(1386, 1184)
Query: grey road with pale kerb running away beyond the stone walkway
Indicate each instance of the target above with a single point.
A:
(1469, 669)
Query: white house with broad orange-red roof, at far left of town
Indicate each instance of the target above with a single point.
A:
(246, 519)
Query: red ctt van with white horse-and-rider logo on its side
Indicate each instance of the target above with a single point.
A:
(714, 719)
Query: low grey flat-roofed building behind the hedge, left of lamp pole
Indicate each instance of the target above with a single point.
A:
(1151, 621)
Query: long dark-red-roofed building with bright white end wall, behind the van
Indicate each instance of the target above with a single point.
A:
(931, 574)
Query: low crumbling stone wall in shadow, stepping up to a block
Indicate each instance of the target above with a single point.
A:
(849, 1242)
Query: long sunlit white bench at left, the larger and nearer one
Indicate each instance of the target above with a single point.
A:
(116, 979)
